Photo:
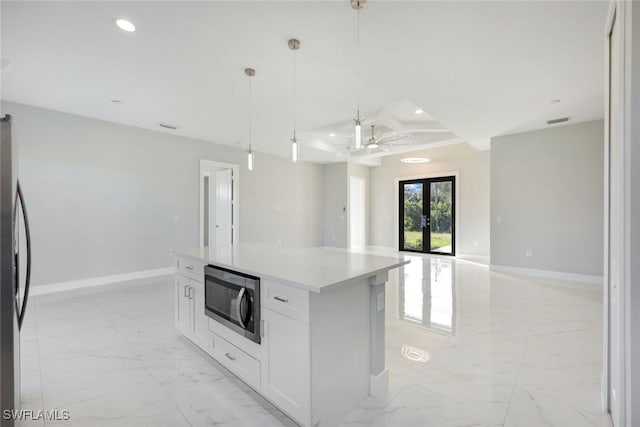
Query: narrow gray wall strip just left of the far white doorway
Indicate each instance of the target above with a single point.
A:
(335, 205)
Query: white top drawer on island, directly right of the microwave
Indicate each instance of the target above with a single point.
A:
(286, 300)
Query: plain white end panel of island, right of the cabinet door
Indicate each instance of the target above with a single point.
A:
(340, 346)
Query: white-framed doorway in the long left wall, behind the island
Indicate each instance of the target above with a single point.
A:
(218, 204)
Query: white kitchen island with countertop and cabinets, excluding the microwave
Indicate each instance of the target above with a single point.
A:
(321, 324)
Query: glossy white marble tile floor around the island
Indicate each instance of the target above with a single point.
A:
(465, 347)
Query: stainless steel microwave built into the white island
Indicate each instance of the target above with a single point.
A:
(233, 299)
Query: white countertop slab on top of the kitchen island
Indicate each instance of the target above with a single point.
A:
(312, 268)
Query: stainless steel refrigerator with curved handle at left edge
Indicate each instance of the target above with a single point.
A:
(14, 289)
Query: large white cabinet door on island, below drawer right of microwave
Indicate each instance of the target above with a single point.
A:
(286, 372)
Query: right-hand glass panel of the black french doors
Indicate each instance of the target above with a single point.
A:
(441, 216)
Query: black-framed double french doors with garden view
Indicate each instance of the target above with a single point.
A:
(427, 215)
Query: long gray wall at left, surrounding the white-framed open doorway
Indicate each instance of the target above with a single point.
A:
(103, 198)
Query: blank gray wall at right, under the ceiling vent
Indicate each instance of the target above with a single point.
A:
(547, 187)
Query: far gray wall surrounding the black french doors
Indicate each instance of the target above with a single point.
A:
(473, 194)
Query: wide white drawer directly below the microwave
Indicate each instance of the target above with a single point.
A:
(236, 360)
